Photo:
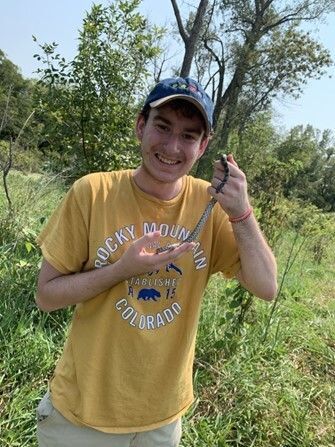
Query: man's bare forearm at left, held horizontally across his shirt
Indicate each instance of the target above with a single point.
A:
(67, 290)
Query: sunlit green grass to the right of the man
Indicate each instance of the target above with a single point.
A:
(279, 392)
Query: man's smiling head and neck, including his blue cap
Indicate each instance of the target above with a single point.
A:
(173, 129)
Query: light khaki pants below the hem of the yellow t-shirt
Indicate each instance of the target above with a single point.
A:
(53, 430)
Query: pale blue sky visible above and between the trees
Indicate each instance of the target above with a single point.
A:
(60, 20)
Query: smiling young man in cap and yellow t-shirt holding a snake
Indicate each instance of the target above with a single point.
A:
(125, 376)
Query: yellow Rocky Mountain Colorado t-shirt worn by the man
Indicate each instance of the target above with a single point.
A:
(127, 362)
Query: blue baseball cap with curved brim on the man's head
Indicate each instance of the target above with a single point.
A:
(183, 88)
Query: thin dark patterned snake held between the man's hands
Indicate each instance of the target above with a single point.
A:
(203, 219)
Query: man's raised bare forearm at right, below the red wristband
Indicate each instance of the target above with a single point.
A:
(258, 265)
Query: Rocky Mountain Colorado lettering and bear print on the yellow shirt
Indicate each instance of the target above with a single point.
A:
(152, 300)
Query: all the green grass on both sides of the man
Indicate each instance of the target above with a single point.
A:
(252, 390)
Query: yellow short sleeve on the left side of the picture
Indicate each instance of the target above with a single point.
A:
(64, 240)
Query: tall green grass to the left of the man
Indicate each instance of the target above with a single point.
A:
(29, 340)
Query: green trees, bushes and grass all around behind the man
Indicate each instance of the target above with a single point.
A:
(264, 373)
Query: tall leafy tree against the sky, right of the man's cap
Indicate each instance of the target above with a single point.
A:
(255, 51)
